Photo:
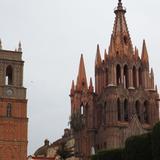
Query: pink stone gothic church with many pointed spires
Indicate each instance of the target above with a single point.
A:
(124, 100)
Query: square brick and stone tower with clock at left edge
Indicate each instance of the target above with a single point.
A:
(13, 106)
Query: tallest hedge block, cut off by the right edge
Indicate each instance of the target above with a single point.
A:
(156, 142)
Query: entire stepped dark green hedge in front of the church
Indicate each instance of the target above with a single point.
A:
(142, 147)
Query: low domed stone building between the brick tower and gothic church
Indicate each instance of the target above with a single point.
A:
(64, 145)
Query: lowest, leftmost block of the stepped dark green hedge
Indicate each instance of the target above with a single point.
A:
(117, 154)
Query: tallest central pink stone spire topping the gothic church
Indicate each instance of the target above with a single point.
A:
(121, 40)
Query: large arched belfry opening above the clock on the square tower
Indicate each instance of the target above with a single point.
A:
(9, 76)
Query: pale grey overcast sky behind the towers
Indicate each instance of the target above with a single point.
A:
(53, 34)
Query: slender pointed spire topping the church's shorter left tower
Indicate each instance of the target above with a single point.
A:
(81, 78)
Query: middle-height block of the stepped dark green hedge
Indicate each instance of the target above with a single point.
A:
(139, 147)
